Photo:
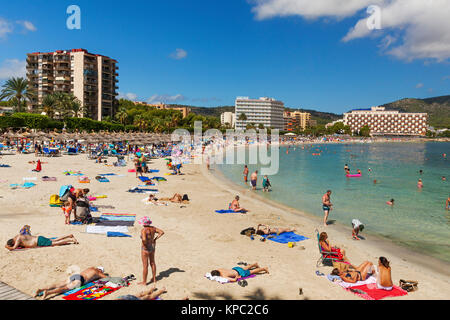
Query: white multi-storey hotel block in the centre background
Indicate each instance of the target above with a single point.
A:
(265, 111)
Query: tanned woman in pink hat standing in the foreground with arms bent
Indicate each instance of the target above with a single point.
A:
(148, 248)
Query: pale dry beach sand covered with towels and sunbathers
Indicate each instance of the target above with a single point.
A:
(196, 239)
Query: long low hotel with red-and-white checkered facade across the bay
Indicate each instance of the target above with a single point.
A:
(384, 122)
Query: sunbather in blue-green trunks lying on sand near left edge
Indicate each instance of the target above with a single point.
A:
(28, 241)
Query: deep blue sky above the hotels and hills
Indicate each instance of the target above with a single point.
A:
(205, 53)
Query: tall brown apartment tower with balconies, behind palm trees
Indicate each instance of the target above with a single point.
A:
(91, 78)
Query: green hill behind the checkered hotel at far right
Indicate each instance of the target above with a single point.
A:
(438, 109)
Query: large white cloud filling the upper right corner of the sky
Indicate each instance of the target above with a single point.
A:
(422, 27)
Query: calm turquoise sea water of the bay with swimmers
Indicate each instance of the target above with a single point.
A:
(417, 220)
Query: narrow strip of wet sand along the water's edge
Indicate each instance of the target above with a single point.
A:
(382, 243)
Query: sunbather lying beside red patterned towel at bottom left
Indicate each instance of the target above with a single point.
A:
(75, 281)
